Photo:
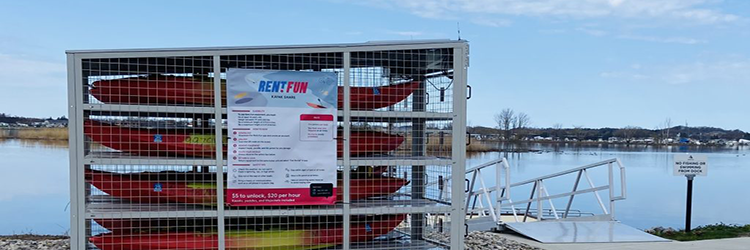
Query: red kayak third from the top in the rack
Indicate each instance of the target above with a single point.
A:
(200, 188)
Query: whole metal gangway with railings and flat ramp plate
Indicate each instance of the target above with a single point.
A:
(551, 225)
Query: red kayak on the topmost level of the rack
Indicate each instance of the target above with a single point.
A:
(180, 90)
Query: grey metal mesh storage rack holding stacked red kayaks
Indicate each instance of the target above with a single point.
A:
(148, 148)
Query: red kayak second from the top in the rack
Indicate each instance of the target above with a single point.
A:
(200, 143)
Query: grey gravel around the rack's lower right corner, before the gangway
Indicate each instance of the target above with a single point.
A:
(486, 241)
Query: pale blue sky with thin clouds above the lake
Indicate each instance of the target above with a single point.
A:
(594, 63)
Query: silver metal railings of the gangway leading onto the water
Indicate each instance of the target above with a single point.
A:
(479, 200)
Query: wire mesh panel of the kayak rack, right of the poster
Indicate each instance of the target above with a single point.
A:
(412, 123)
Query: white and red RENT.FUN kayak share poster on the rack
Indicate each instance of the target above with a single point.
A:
(282, 146)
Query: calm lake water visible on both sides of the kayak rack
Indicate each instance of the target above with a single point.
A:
(34, 190)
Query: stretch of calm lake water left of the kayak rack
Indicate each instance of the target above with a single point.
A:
(34, 187)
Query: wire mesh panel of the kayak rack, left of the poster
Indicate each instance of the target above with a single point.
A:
(149, 149)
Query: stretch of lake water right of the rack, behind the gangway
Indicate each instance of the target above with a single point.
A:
(655, 197)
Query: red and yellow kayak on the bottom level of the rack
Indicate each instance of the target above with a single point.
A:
(310, 237)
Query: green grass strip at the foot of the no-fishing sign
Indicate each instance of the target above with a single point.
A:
(708, 232)
